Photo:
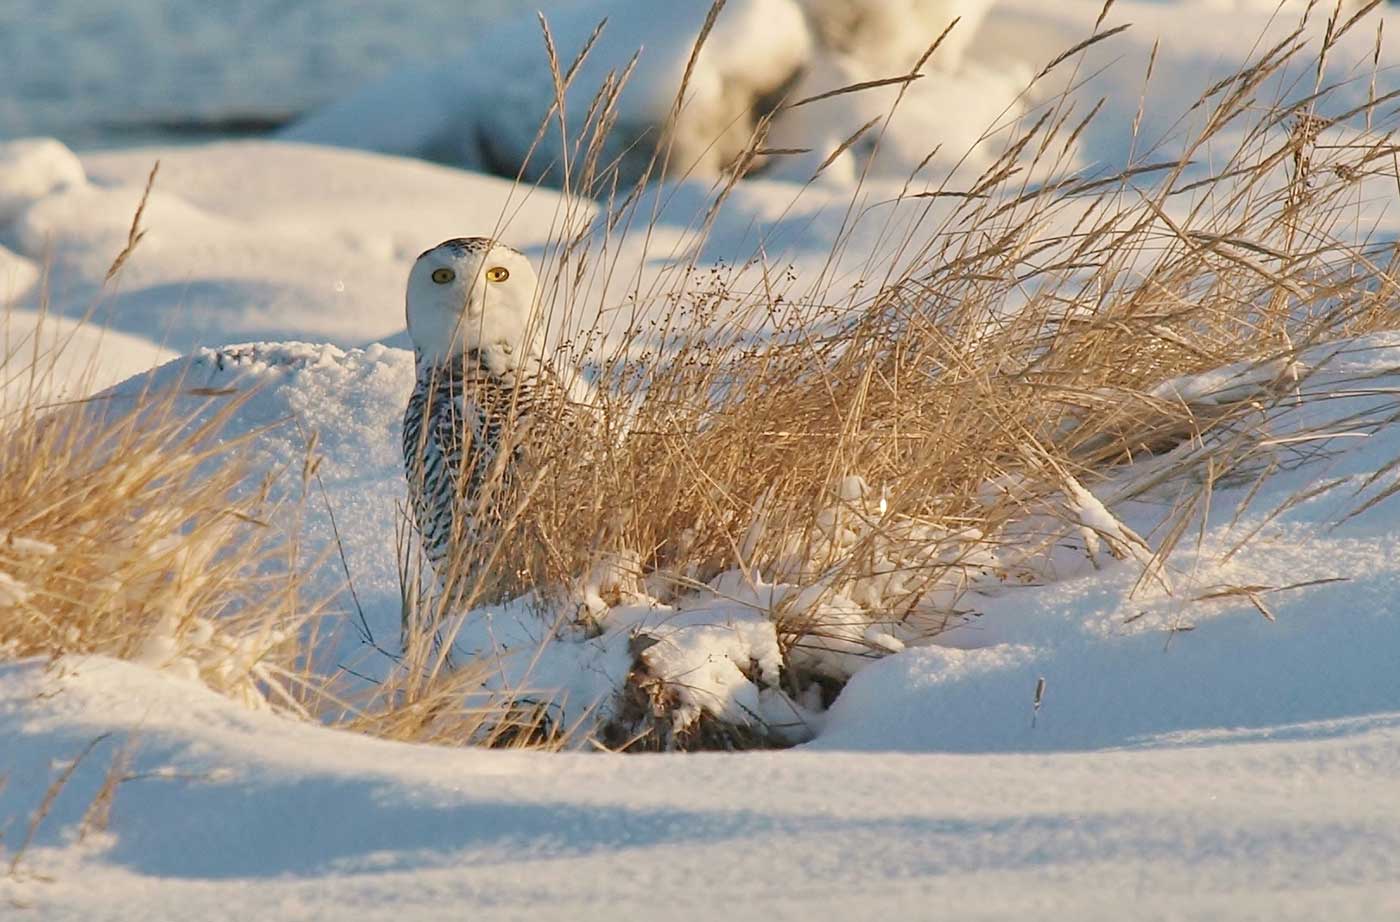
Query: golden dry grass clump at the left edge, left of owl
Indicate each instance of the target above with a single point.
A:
(129, 532)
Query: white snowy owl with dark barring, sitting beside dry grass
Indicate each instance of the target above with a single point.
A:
(481, 374)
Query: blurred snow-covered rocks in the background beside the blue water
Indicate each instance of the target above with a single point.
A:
(484, 107)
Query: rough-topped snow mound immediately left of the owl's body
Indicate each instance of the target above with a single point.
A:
(351, 404)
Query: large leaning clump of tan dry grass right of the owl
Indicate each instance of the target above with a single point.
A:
(850, 454)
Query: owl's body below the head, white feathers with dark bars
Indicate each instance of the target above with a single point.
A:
(463, 434)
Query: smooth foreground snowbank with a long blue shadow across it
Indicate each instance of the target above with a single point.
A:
(229, 815)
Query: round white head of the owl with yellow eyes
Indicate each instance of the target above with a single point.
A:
(472, 295)
